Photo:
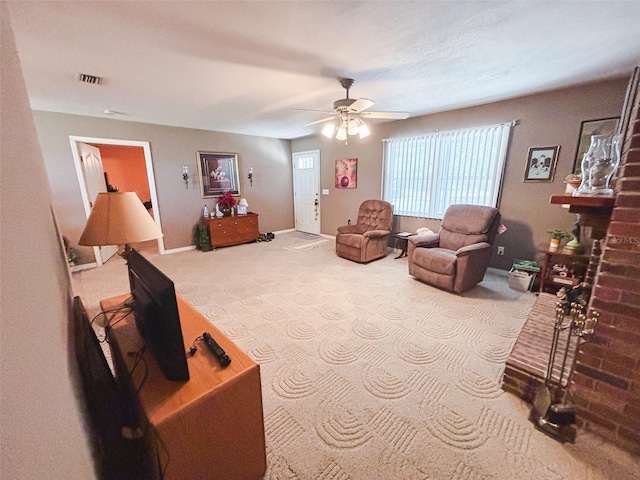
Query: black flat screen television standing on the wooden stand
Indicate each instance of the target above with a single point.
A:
(156, 312)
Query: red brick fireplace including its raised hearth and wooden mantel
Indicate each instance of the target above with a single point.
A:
(605, 386)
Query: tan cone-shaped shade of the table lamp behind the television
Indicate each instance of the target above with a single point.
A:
(118, 218)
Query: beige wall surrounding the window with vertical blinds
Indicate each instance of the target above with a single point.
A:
(551, 118)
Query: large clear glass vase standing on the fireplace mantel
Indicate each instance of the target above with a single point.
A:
(598, 166)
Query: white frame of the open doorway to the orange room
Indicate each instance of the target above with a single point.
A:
(146, 147)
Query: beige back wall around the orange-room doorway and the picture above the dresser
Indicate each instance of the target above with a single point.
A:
(271, 195)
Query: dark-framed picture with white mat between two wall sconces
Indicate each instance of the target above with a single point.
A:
(218, 173)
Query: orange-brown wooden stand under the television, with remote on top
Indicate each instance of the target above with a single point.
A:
(210, 427)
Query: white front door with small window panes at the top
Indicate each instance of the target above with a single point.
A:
(306, 191)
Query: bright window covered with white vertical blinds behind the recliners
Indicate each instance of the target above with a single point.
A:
(423, 175)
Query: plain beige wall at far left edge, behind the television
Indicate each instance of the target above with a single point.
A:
(41, 434)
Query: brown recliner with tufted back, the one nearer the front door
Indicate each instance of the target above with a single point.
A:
(367, 239)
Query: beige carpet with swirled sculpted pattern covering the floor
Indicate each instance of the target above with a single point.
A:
(368, 373)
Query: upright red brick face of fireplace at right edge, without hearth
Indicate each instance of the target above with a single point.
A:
(606, 382)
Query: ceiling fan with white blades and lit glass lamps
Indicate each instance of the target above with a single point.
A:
(348, 113)
